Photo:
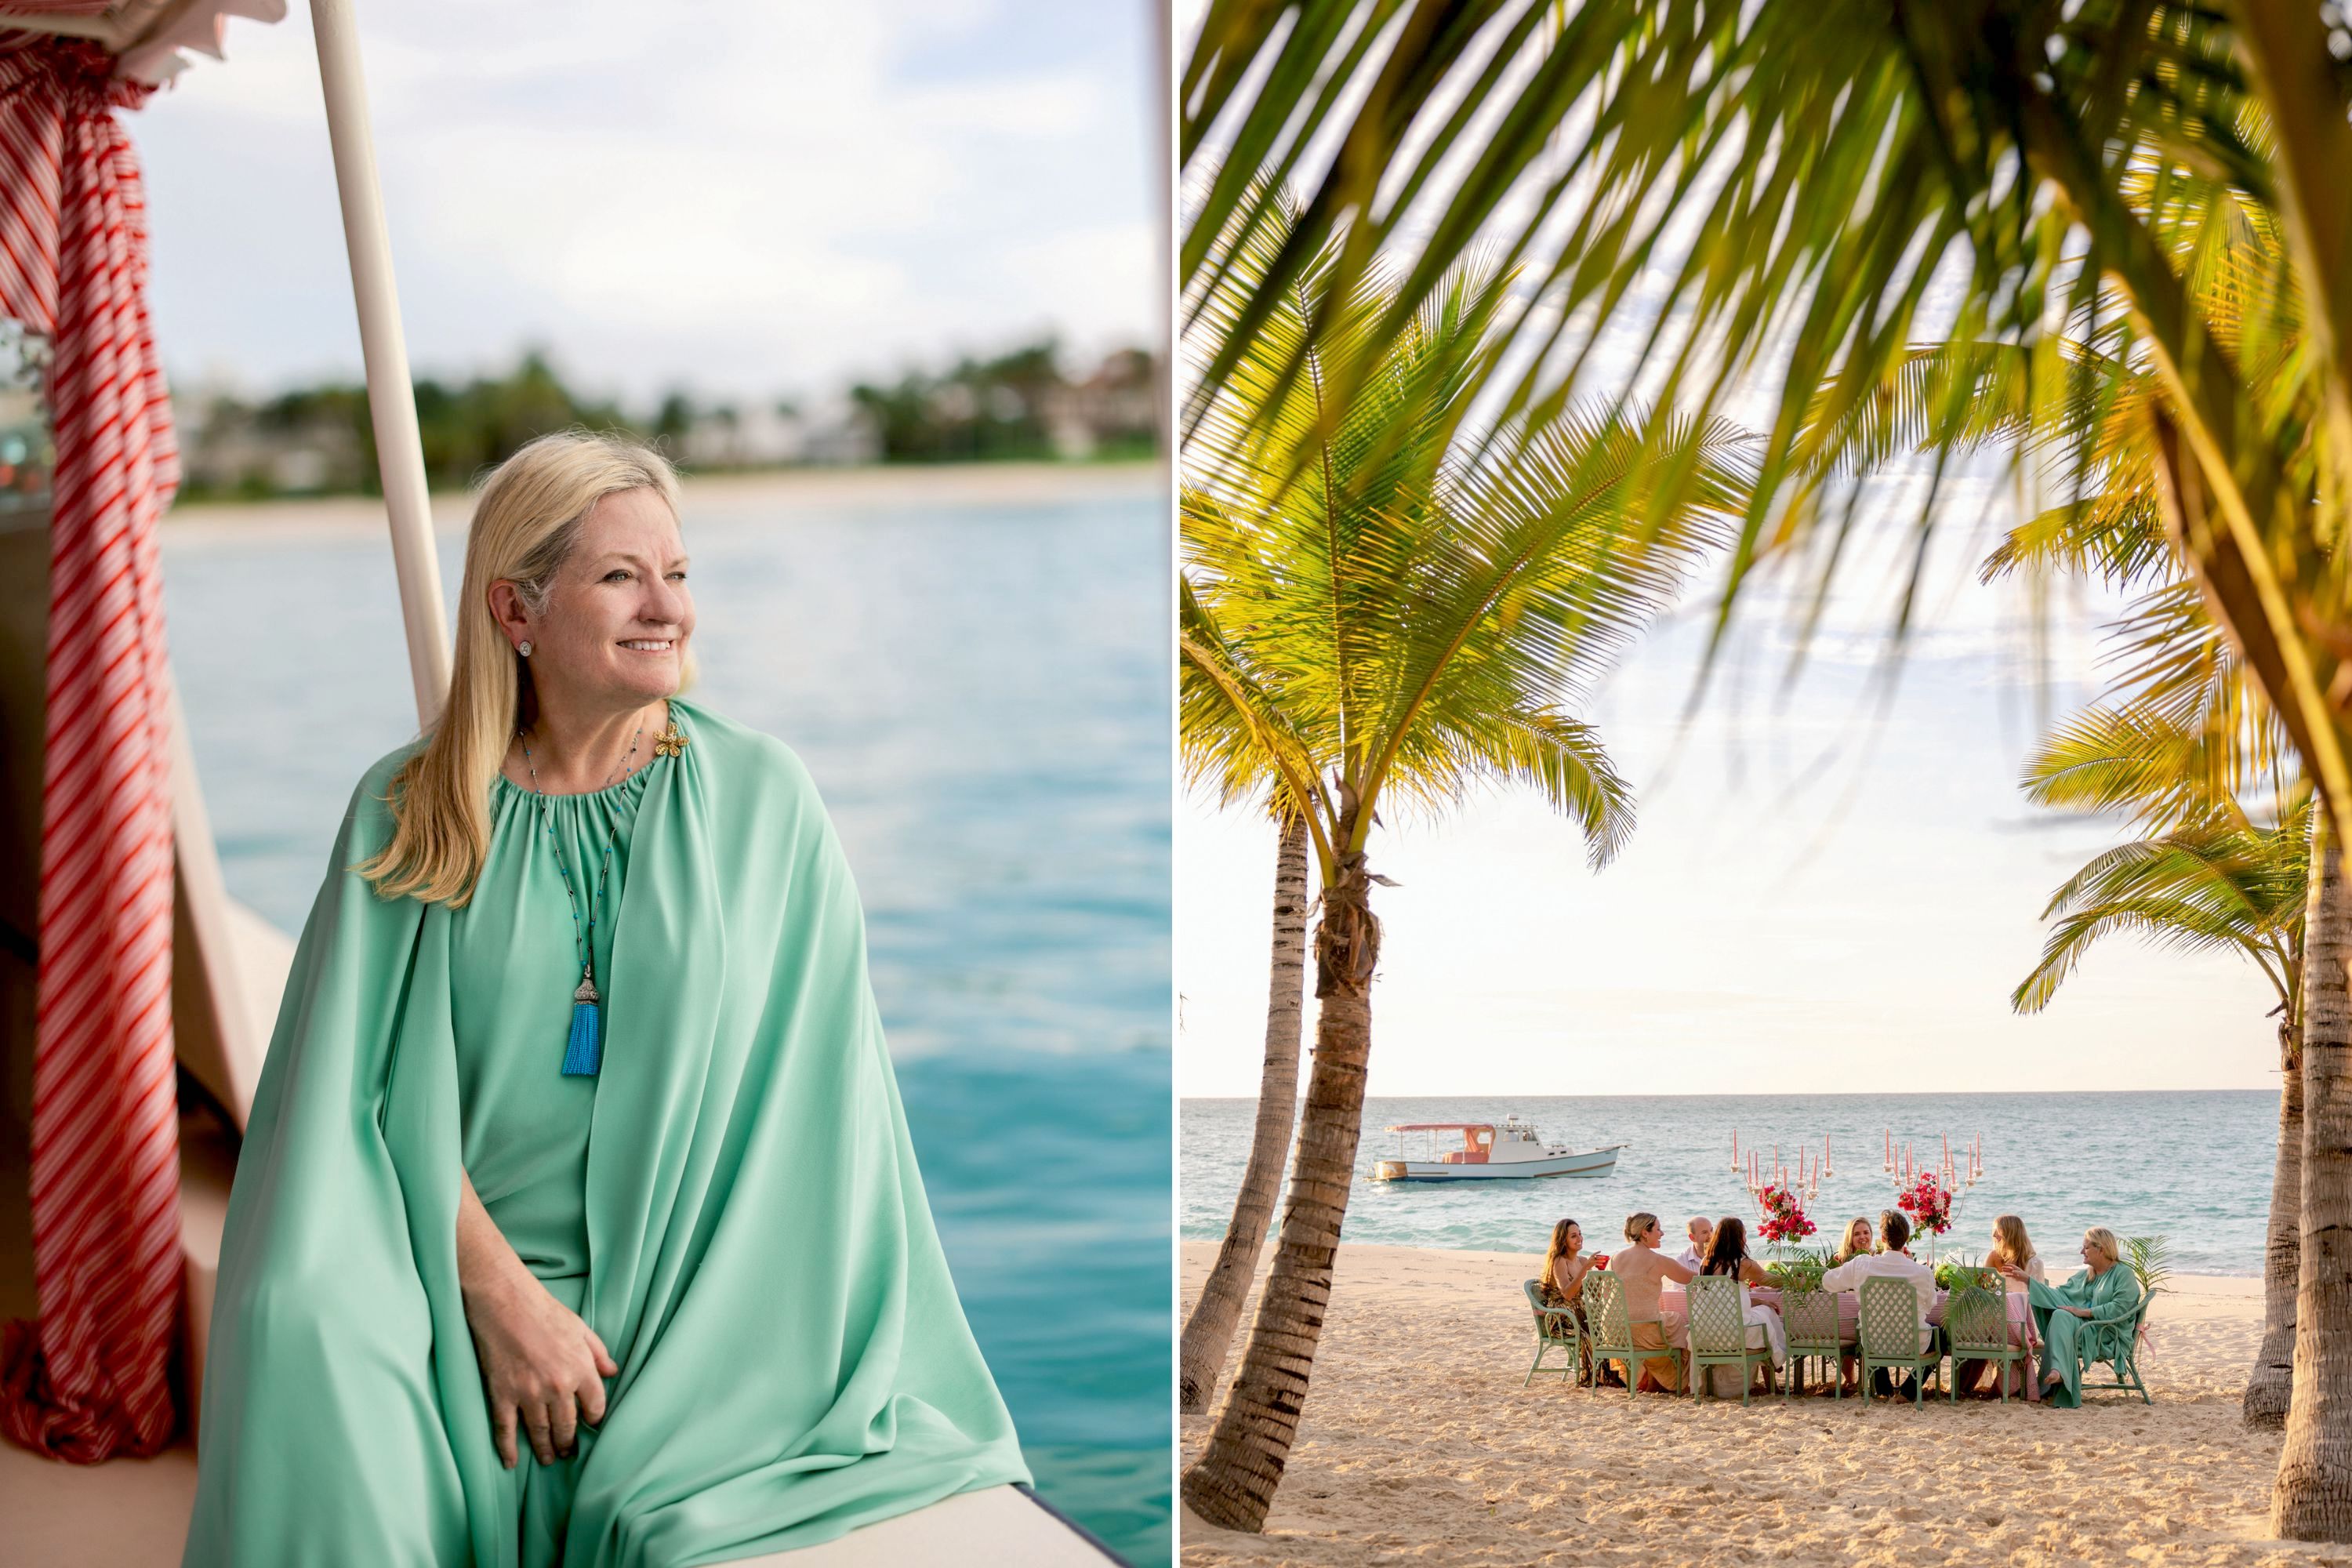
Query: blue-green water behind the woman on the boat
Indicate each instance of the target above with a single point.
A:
(982, 697)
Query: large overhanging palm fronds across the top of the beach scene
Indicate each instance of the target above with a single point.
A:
(1798, 177)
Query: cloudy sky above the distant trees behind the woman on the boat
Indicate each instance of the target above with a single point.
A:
(751, 199)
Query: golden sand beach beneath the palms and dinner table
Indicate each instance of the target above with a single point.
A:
(1422, 1447)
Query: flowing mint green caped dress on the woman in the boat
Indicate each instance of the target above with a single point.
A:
(730, 1202)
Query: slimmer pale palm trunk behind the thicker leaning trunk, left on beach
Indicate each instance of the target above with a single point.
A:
(1208, 1334)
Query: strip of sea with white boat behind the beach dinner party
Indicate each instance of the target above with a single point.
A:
(2191, 1167)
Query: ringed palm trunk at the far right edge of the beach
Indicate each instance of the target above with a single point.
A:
(2313, 1499)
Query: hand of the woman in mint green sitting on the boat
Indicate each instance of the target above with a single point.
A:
(542, 1367)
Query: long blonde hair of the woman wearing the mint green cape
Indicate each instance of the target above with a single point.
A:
(526, 525)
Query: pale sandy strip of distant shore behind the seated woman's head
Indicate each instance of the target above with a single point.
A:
(782, 492)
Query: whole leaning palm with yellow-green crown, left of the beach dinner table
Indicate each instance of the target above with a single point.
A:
(1379, 612)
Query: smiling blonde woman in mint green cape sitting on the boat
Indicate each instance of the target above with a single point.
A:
(577, 1198)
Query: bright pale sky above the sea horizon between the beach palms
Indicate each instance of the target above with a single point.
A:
(1822, 894)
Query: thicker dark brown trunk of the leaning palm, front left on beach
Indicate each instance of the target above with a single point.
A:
(1236, 1477)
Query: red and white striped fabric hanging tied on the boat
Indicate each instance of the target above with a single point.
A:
(93, 1376)
